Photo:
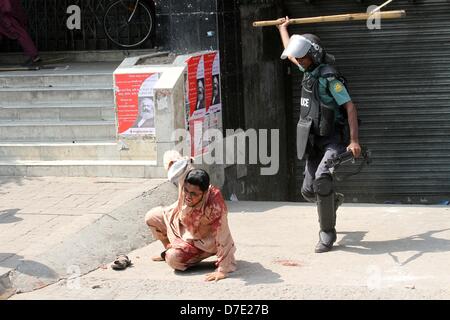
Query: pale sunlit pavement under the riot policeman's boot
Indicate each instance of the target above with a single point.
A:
(383, 252)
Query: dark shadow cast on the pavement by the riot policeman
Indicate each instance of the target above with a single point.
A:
(422, 243)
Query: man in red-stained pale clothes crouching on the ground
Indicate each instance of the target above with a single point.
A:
(195, 227)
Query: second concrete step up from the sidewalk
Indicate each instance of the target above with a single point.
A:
(92, 150)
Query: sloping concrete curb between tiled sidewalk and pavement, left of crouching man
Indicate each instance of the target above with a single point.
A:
(120, 231)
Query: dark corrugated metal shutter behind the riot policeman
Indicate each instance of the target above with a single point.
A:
(399, 78)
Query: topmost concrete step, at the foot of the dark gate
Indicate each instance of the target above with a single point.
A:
(79, 56)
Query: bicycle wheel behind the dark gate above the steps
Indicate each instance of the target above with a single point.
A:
(126, 24)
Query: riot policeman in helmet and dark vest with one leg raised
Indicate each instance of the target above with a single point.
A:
(328, 125)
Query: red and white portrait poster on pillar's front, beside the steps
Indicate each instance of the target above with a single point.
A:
(135, 103)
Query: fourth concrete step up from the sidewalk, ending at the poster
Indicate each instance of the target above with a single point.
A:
(58, 111)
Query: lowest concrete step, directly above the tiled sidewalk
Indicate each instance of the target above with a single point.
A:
(78, 168)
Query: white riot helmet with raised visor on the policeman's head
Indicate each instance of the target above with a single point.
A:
(302, 45)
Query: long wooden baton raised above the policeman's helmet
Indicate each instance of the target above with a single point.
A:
(336, 18)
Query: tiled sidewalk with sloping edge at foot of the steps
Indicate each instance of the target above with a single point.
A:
(42, 220)
